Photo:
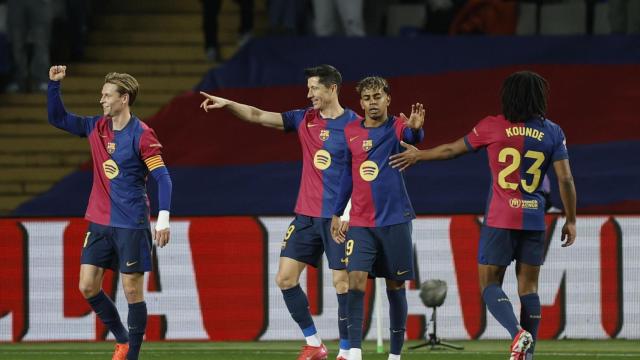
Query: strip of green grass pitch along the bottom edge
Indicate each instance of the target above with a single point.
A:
(485, 349)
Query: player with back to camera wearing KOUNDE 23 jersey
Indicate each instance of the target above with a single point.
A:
(521, 145)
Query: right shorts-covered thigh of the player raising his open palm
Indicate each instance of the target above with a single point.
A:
(395, 262)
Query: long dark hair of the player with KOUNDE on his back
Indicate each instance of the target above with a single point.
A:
(524, 96)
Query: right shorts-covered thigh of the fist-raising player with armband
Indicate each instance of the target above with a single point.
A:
(134, 248)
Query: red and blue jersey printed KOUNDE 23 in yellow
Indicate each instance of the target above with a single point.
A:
(519, 156)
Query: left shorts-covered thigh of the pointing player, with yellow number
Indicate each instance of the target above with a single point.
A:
(302, 241)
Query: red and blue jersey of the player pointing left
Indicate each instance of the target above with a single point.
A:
(323, 154)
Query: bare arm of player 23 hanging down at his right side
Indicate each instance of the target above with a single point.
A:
(568, 196)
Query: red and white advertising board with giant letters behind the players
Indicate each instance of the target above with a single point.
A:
(215, 281)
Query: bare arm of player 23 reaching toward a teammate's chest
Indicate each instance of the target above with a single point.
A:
(412, 154)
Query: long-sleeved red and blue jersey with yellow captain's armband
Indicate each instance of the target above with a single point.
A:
(121, 162)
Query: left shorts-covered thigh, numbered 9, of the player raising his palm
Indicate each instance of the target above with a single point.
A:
(361, 249)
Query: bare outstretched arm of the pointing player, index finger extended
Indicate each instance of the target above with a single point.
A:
(243, 111)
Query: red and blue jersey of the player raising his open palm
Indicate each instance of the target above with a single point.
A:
(378, 193)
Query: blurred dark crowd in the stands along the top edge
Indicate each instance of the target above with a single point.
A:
(33, 33)
